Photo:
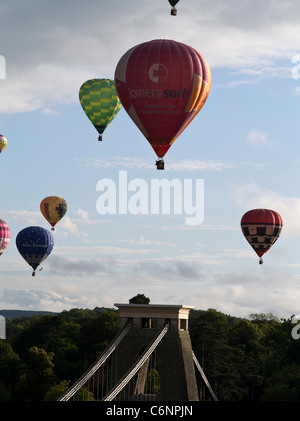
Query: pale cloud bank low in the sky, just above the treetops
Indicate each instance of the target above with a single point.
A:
(237, 294)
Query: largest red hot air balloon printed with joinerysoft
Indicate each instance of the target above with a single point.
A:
(162, 85)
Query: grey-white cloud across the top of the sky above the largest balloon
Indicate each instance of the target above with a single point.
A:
(65, 45)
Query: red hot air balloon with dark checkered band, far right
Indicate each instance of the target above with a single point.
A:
(261, 227)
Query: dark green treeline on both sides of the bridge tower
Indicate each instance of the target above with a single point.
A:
(244, 359)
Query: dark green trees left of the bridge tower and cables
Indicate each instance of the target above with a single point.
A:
(46, 352)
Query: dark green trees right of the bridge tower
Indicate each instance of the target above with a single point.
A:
(247, 359)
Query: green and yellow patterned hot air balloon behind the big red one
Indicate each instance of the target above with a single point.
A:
(100, 102)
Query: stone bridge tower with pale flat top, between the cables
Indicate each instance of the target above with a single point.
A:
(174, 353)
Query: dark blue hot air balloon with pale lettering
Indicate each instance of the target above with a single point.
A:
(34, 244)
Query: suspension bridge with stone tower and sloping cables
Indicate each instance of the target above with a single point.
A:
(150, 359)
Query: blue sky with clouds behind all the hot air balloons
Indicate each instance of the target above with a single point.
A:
(244, 144)
